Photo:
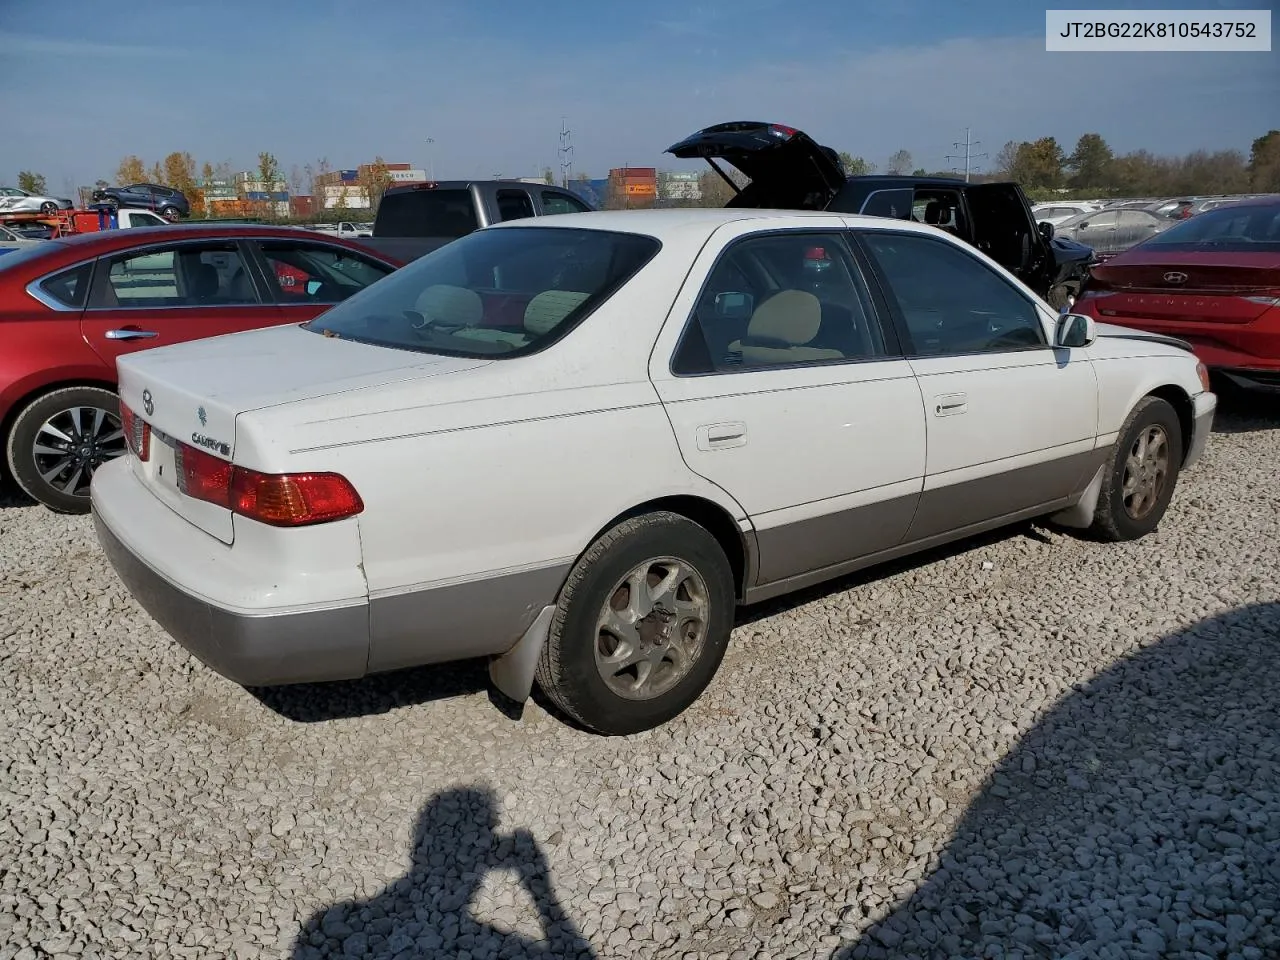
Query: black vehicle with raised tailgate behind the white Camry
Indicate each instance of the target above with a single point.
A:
(789, 171)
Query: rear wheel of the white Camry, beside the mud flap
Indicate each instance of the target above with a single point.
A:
(642, 625)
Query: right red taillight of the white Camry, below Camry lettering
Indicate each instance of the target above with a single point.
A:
(280, 500)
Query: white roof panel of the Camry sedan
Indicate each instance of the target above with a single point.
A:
(670, 222)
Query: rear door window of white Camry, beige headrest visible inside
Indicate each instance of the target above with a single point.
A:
(778, 301)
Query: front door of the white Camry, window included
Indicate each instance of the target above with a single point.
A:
(1012, 420)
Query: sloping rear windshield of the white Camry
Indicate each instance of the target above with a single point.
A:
(497, 292)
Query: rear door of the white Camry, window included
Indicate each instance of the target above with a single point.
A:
(784, 390)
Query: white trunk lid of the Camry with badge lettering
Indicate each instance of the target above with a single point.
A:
(190, 396)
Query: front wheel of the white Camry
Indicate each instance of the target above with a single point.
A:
(1141, 473)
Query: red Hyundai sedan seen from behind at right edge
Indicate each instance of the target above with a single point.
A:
(1213, 281)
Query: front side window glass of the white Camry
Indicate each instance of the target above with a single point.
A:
(950, 301)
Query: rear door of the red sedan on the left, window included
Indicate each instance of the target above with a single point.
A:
(172, 292)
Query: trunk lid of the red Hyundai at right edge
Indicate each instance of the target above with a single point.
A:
(1187, 287)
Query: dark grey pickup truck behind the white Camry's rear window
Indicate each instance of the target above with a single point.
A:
(418, 218)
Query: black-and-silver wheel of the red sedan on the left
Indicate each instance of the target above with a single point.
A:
(60, 440)
